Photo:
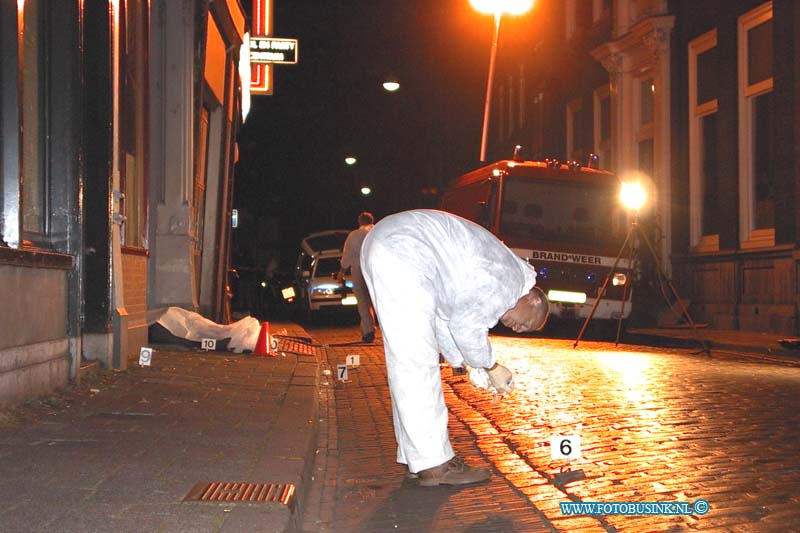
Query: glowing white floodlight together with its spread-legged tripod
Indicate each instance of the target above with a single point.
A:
(633, 197)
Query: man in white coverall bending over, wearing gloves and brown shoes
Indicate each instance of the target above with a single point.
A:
(438, 283)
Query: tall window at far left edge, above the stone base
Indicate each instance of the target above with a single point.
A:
(34, 194)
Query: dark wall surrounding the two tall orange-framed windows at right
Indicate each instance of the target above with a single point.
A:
(735, 288)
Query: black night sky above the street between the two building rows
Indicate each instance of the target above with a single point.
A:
(291, 178)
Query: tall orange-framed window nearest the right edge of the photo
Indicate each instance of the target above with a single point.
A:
(756, 116)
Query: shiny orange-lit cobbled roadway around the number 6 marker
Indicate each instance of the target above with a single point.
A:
(656, 425)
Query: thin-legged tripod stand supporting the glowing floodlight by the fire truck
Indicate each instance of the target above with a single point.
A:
(635, 230)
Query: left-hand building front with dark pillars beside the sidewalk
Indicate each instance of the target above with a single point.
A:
(118, 123)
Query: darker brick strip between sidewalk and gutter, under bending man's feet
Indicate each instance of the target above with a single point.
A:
(359, 486)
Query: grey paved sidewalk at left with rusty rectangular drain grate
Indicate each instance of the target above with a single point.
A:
(124, 451)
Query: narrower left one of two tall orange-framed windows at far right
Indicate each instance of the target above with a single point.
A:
(703, 174)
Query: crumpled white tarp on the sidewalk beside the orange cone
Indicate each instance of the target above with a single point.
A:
(243, 334)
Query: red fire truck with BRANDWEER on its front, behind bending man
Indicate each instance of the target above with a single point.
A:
(564, 219)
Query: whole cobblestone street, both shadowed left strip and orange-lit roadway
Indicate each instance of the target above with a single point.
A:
(655, 425)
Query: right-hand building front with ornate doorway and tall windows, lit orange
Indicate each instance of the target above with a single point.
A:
(700, 99)
